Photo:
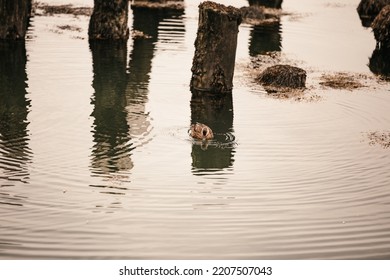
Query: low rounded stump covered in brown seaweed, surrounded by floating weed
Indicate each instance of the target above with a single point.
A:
(283, 76)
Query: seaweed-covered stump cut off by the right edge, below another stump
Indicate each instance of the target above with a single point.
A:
(381, 28)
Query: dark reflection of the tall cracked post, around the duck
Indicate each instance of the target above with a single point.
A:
(216, 111)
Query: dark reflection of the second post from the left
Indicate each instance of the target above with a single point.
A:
(112, 146)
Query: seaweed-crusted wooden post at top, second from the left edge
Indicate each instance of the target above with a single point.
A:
(109, 20)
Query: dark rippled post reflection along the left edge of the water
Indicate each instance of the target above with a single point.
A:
(14, 151)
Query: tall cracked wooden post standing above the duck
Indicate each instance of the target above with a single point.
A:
(215, 48)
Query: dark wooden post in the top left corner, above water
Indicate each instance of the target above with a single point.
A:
(14, 15)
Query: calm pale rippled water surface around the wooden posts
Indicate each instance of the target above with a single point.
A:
(95, 160)
